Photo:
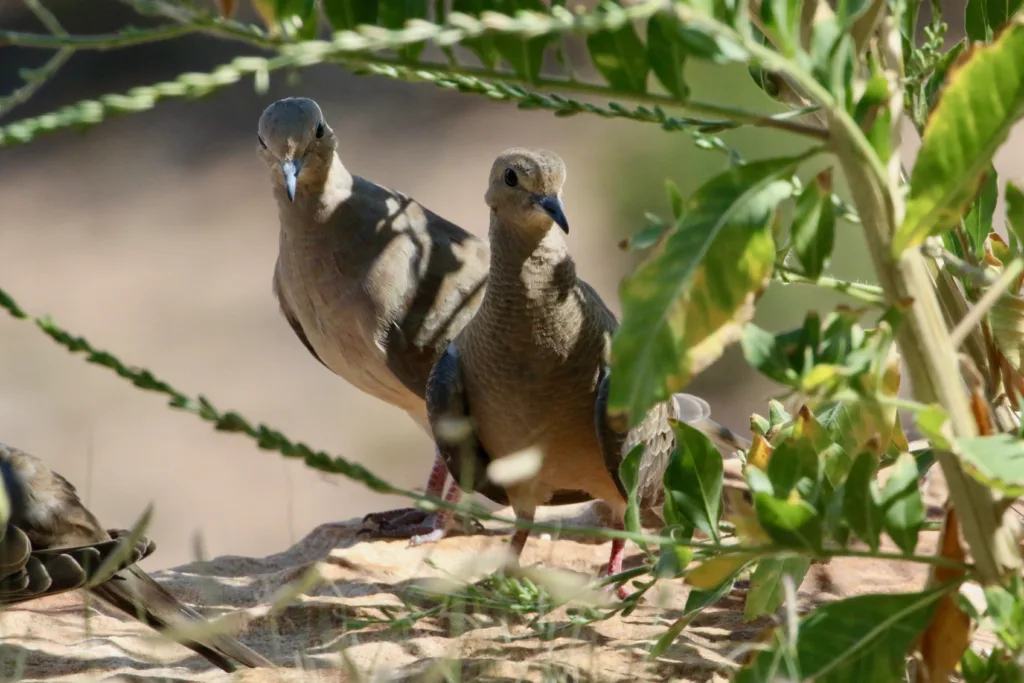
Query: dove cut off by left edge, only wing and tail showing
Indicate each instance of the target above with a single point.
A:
(51, 543)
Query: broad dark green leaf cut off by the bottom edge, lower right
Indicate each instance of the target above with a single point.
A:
(866, 638)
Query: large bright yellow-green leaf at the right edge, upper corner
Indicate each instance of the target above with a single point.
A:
(982, 103)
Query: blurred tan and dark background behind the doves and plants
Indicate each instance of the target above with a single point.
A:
(155, 236)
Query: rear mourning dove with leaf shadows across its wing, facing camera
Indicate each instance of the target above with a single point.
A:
(372, 283)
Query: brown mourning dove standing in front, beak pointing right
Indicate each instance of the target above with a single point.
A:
(530, 371)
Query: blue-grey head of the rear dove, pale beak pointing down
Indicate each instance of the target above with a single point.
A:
(296, 144)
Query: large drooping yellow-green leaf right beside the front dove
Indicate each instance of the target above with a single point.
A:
(690, 300)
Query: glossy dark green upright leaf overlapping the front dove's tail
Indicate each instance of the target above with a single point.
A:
(694, 482)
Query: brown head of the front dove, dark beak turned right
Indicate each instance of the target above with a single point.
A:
(526, 190)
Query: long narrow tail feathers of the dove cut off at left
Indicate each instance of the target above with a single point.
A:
(136, 593)
